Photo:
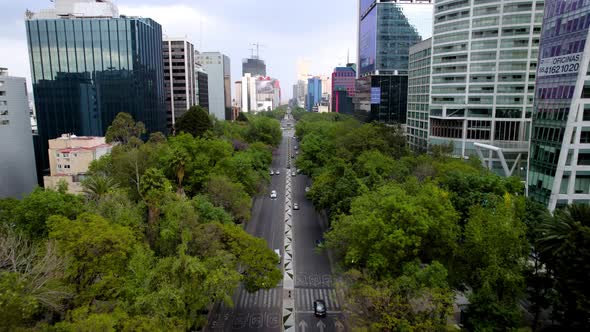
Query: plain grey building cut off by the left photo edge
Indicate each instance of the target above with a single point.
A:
(18, 175)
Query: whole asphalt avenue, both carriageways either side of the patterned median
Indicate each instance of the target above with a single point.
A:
(262, 311)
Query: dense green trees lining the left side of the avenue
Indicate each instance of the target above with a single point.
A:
(154, 240)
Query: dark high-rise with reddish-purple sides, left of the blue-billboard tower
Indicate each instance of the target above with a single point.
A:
(343, 81)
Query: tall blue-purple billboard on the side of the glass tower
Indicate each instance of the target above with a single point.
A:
(368, 42)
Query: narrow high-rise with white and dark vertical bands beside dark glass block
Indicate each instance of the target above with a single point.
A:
(179, 77)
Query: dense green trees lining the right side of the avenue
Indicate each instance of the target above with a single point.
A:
(413, 231)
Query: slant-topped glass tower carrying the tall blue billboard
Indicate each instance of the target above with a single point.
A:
(384, 39)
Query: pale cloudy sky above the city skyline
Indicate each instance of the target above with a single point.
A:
(321, 31)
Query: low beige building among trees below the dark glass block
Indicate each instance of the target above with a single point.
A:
(69, 159)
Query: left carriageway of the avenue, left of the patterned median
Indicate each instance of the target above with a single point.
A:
(260, 311)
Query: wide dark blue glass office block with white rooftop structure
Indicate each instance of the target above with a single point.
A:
(88, 64)
